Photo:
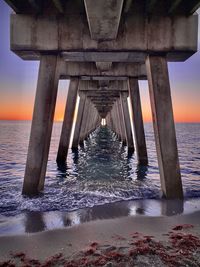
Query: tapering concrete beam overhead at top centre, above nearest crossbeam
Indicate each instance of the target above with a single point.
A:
(103, 18)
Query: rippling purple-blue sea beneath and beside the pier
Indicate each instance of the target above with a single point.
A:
(100, 173)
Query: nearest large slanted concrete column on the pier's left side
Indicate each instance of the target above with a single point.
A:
(42, 123)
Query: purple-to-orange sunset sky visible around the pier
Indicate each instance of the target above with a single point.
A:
(18, 80)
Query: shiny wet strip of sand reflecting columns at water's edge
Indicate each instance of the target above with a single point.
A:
(32, 222)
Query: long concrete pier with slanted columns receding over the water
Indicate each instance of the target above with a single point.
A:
(104, 48)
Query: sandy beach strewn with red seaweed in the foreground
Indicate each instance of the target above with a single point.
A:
(126, 241)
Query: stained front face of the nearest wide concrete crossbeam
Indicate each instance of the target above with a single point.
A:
(176, 36)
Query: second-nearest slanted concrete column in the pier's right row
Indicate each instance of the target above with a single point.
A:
(138, 125)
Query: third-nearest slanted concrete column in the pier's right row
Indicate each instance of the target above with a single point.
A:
(127, 123)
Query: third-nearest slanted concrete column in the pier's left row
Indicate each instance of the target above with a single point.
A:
(79, 120)
